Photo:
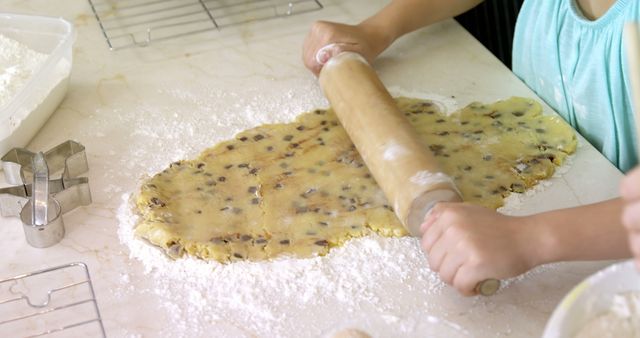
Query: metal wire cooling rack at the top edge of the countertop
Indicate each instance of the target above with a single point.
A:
(129, 23)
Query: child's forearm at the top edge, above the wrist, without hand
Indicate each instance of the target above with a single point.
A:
(403, 16)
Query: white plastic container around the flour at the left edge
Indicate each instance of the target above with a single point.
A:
(29, 109)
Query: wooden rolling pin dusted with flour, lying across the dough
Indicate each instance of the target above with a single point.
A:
(408, 174)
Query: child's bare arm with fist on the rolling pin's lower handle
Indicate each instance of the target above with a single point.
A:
(467, 244)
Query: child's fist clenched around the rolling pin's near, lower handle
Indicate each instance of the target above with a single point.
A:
(467, 244)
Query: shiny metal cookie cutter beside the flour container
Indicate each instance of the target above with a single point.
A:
(40, 205)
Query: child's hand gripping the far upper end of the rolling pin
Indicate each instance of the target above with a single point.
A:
(339, 38)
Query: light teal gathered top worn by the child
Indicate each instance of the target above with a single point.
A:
(578, 67)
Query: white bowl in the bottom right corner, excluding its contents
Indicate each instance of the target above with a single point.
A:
(593, 296)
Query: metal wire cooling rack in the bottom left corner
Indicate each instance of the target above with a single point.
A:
(54, 301)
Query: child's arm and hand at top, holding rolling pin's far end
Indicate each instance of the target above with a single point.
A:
(375, 34)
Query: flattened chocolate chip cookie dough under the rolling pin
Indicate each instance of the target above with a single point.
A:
(301, 188)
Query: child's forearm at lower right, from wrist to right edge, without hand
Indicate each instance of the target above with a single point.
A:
(590, 232)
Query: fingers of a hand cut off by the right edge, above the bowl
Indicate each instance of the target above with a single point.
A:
(630, 190)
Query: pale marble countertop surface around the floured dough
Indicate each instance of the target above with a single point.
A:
(137, 110)
